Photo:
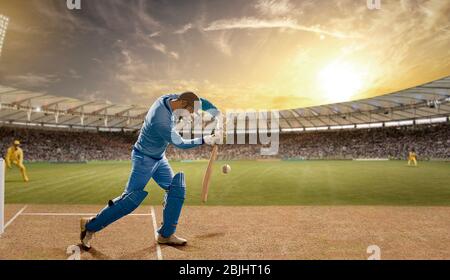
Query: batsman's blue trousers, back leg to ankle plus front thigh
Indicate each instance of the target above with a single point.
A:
(143, 169)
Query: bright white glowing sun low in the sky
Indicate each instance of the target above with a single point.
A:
(340, 81)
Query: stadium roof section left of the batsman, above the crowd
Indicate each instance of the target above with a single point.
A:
(25, 107)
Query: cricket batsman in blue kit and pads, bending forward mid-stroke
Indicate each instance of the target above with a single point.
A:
(149, 161)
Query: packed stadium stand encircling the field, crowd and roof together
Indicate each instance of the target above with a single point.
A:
(61, 129)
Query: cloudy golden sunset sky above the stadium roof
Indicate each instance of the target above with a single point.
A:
(259, 54)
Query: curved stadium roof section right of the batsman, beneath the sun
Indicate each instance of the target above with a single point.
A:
(430, 100)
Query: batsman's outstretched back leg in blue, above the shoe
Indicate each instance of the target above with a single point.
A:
(143, 168)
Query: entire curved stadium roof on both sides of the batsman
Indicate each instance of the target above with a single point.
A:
(428, 101)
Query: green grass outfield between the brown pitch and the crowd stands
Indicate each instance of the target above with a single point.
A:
(250, 183)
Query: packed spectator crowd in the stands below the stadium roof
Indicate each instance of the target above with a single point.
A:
(429, 141)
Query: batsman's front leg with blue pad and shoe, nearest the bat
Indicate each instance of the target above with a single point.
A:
(175, 188)
